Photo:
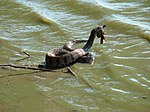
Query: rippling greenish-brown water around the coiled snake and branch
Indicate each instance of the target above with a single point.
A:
(119, 79)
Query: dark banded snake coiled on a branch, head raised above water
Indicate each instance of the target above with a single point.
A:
(67, 56)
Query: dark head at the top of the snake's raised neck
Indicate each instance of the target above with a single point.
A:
(100, 33)
